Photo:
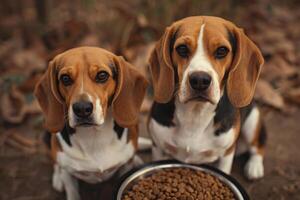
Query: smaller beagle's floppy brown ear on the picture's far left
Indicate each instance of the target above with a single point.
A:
(49, 99)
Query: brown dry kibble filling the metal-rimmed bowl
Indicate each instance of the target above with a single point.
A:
(179, 184)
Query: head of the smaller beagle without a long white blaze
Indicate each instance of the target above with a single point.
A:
(80, 84)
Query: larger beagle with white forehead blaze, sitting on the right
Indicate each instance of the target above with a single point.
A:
(204, 72)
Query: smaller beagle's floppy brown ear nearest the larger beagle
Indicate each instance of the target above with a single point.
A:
(129, 94)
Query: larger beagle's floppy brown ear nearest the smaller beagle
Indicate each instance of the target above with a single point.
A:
(161, 66)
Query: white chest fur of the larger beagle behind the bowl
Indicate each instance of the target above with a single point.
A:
(193, 139)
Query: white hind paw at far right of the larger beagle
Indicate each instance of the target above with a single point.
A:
(254, 168)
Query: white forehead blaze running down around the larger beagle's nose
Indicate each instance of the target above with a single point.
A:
(200, 62)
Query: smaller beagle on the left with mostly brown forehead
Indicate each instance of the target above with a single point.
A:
(91, 101)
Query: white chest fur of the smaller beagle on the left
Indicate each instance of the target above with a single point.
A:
(96, 152)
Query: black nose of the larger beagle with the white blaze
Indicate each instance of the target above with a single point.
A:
(200, 81)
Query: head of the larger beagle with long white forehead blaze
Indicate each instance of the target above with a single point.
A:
(197, 57)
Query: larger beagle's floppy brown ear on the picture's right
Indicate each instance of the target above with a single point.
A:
(245, 70)
